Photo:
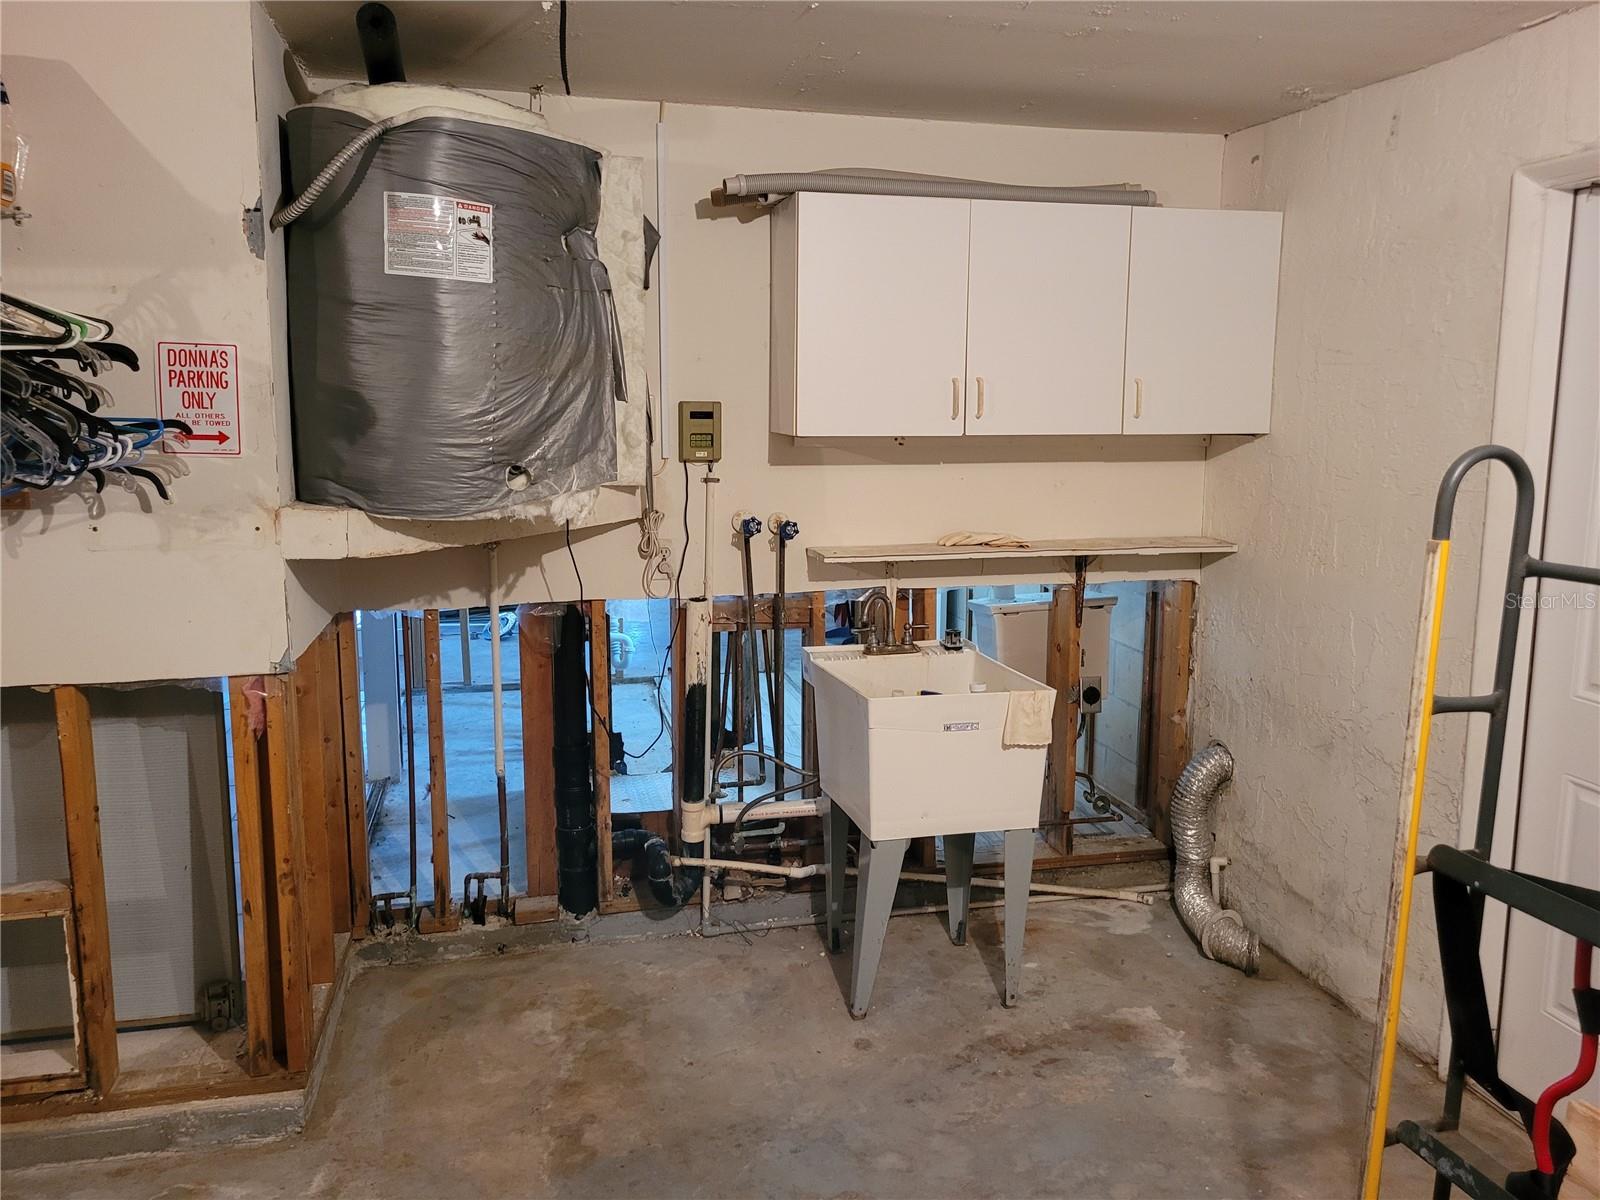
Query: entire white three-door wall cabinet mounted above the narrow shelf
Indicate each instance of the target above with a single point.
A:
(930, 318)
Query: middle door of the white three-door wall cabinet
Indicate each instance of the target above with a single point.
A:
(1047, 318)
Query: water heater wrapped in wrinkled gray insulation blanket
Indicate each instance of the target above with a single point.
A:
(450, 319)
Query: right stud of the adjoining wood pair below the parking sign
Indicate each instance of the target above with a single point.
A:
(289, 876)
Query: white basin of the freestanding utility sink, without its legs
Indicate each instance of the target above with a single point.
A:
(903, 764)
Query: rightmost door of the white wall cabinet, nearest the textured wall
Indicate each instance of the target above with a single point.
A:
(1202, 314)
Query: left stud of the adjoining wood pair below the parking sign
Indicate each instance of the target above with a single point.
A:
(252, 882)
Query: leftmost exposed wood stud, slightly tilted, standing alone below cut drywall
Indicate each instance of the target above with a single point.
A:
(81, 799)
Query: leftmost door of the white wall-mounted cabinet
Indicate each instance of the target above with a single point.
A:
(881, 316)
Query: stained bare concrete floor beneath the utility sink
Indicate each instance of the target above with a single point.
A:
(729, 1066)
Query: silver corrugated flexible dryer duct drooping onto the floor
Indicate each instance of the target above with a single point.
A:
(1222, 932)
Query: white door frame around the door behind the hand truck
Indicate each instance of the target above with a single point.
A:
(1534, 302)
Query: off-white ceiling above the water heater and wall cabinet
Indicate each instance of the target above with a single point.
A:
(1199, 68)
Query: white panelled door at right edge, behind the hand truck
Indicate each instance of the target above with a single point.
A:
(1559, 807)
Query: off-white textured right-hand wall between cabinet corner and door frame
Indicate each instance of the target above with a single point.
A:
(1394, 241)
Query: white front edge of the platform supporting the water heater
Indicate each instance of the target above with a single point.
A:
(311, 532)
